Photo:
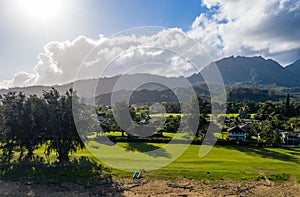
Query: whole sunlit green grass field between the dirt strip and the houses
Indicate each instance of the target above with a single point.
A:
(222, 162)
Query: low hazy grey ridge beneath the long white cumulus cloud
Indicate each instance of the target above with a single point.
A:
(92, 87)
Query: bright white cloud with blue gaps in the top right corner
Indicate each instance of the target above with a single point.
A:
(242, 27)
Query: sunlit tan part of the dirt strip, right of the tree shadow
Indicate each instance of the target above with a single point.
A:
(201, 188)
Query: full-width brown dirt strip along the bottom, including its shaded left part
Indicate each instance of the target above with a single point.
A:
(153, 187)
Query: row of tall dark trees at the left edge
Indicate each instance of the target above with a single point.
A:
(28, 122)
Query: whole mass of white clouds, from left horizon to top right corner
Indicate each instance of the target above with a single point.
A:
(233, 27)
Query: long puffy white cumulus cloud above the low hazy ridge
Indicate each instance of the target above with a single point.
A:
(83, 58)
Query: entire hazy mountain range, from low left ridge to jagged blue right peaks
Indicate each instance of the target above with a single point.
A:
(254, 71)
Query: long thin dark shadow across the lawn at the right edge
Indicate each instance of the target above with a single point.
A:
(265, 153)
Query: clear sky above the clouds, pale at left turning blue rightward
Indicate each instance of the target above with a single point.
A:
(23, 39)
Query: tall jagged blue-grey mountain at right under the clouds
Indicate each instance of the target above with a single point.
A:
(255, 71)
